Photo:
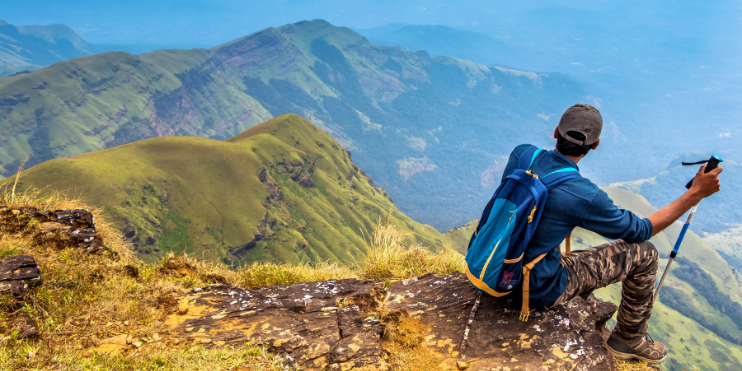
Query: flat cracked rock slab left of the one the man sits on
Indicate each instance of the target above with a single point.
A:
(318, 324)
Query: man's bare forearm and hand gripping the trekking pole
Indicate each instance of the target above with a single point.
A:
(704, 185)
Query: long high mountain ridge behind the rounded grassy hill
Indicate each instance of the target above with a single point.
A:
(411, 120)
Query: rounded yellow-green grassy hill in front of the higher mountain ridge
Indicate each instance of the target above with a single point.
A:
(204, 196)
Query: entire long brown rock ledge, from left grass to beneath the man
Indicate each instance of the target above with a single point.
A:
(355, 324)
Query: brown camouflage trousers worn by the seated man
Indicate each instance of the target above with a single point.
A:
(633, 264)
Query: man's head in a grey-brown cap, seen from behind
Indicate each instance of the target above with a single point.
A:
(579, 130)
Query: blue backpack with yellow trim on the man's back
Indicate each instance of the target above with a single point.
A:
(494, 257)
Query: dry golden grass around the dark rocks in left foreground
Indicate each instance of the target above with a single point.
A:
(86, 298)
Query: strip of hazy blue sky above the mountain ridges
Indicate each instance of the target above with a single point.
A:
(213, 22)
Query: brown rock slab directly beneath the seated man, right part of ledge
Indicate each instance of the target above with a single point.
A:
(566, 337)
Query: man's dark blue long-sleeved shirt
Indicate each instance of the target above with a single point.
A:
(575, 203)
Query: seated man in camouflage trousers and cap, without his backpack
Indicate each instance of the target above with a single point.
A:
(630, 258)
